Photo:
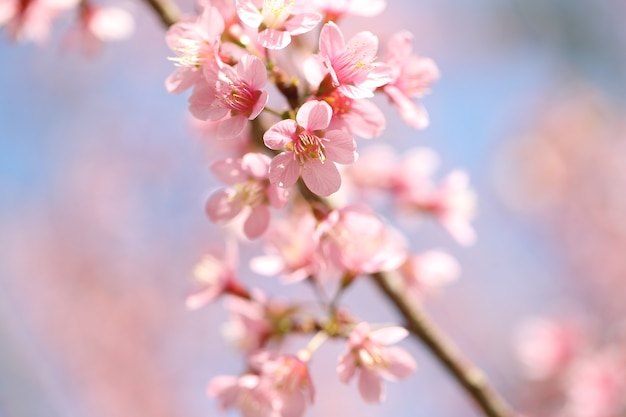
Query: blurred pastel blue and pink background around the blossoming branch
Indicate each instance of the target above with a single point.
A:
(103, 182)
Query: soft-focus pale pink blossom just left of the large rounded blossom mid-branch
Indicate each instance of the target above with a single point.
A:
(292, 249)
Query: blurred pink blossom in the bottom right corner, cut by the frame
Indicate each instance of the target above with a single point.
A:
(596, 386)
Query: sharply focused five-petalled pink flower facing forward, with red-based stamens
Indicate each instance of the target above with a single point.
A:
(310, 150)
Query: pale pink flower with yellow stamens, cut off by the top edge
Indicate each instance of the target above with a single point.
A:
(277, 20)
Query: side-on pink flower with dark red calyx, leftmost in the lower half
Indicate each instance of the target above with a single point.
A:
(216, 273)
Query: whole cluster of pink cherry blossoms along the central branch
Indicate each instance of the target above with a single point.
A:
(288, 95)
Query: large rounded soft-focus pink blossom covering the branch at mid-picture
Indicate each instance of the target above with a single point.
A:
(357, 241)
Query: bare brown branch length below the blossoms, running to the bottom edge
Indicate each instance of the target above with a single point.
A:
(420, 325)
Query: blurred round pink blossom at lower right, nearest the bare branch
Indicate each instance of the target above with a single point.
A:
(546, 348)
